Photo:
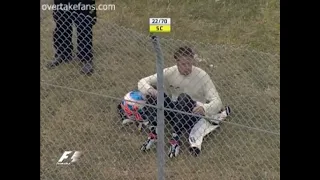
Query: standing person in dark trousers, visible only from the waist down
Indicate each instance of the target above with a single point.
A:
(83, 14)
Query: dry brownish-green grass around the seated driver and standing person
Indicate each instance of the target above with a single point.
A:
(240, 38)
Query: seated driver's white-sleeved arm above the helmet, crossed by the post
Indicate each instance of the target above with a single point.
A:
(147, 83)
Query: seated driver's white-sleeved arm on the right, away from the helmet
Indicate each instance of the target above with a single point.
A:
(212, 96)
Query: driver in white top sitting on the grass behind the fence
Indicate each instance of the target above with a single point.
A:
(191, 87)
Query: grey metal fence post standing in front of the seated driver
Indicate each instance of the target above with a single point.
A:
(160, 110)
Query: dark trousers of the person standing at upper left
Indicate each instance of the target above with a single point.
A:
(62, 37)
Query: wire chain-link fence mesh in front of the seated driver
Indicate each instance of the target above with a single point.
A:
(79, 112)
